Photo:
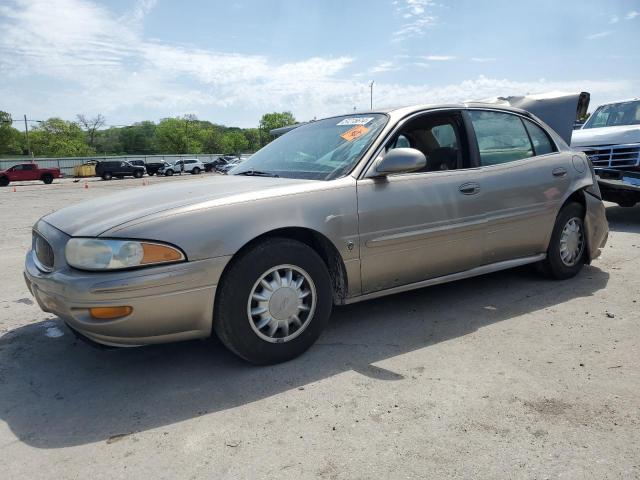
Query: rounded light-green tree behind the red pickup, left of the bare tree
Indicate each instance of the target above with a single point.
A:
(59, 138)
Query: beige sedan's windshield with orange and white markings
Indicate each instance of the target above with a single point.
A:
(321, 150)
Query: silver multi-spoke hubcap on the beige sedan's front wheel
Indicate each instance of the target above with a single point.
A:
(281, 303)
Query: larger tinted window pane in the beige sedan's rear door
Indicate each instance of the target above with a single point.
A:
(501, 137)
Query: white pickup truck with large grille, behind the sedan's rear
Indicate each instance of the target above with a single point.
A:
(611, 140)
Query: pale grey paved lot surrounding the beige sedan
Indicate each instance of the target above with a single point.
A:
(502, 376)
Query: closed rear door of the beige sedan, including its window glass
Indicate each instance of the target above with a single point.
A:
(525, 180)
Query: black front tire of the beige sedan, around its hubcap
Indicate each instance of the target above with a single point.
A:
(240, 330)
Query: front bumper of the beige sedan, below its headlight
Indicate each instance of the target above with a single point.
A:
(170, 303)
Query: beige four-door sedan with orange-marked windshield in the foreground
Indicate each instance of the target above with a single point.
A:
(337, 211)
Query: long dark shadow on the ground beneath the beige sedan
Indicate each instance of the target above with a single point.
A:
(59, 392)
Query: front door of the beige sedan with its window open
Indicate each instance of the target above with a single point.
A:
(425, 224)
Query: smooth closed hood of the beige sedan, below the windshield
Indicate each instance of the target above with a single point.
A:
(95, 217)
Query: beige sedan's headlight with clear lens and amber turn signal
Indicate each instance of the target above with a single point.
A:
(104, 254)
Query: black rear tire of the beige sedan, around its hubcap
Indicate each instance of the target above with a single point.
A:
(556, 265)
